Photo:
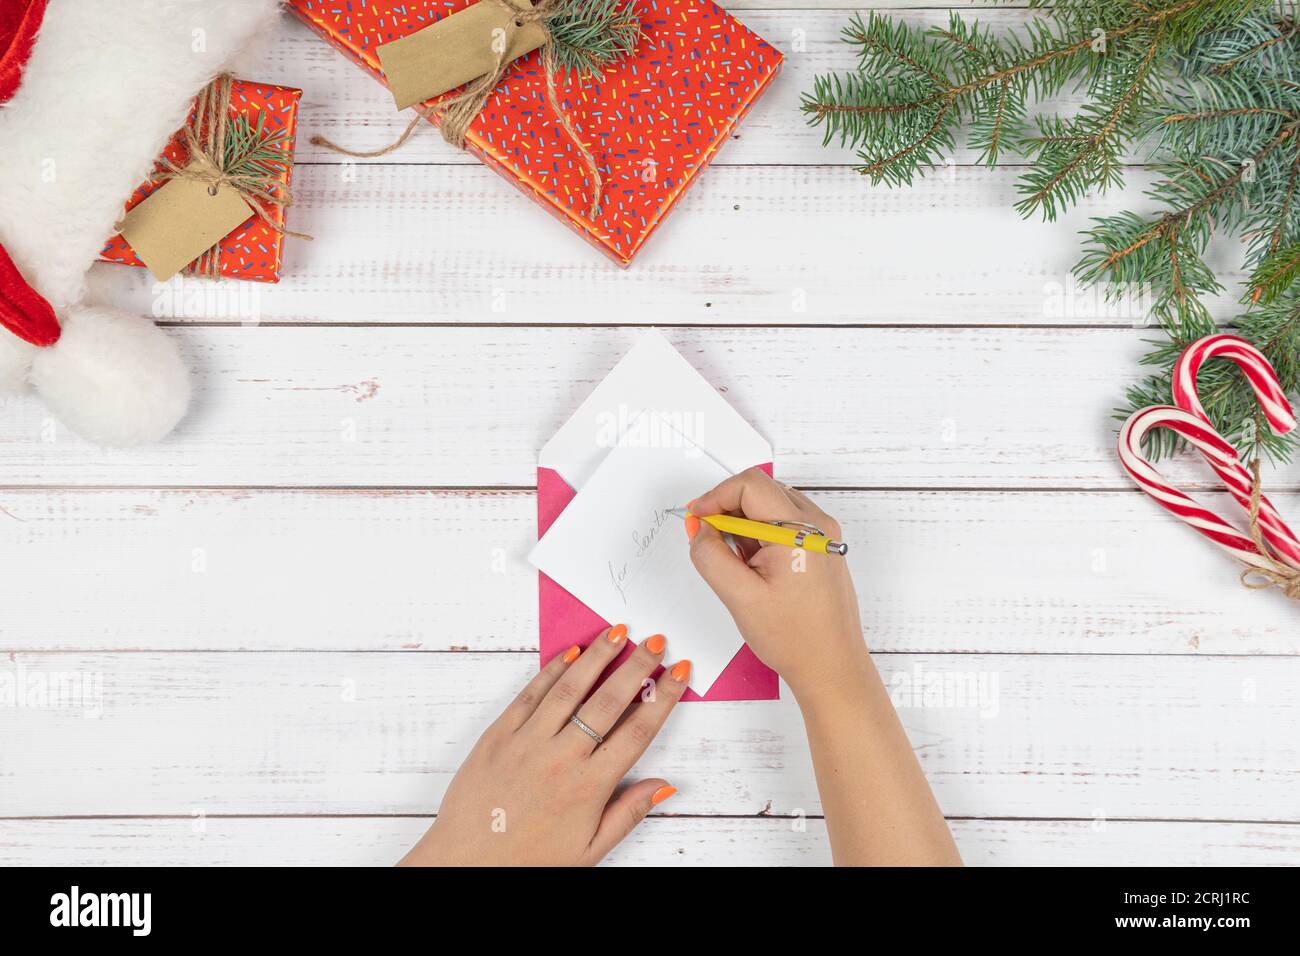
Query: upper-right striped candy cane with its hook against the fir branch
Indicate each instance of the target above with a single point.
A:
(1276, 408)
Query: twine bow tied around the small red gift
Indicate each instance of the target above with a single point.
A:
(216, 159)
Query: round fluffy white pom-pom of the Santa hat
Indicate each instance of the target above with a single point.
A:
(114, 379)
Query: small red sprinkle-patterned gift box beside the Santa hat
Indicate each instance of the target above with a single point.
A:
(252, 252)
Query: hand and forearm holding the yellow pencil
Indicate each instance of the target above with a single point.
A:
(800, 615)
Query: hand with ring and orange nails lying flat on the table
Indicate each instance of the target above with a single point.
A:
(538, 790)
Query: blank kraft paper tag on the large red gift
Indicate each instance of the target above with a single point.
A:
(454, 51)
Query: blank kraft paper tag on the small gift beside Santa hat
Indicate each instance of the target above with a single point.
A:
(180, 222)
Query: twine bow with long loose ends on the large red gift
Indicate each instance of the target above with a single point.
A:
(458, 113)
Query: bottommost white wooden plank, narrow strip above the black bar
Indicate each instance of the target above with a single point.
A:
(660, 841)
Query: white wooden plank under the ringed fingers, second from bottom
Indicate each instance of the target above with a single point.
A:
(1050, 737)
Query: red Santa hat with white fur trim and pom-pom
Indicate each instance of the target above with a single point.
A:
(90, 92)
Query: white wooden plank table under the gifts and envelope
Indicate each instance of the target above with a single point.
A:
(301, 609)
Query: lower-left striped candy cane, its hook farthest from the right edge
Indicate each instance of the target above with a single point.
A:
(1216, 451)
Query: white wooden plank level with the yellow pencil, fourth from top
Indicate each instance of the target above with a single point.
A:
(184, 570)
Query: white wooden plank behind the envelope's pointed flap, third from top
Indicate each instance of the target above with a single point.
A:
(447, 406)
